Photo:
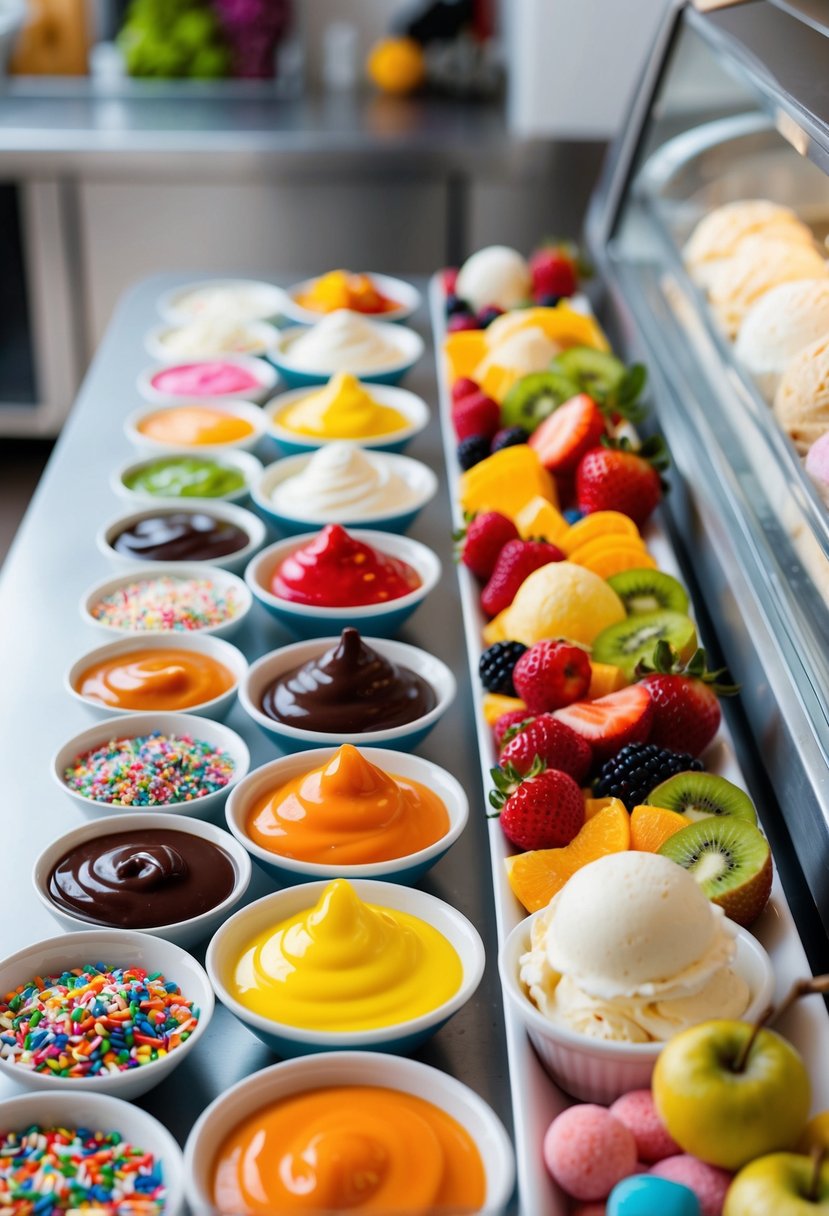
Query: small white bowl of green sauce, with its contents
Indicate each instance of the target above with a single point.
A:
(187, 475)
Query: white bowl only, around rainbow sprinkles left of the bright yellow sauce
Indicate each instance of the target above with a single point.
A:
(116, 948)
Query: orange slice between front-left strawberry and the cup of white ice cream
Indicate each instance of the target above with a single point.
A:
(535, 877)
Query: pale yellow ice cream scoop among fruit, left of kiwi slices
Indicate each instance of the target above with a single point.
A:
(561, 600)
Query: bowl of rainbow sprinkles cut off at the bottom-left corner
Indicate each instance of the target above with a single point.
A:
(76, 1152)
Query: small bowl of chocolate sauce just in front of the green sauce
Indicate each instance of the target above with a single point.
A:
(170, 531)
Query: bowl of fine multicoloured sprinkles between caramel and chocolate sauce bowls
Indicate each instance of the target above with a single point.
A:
(177, 763)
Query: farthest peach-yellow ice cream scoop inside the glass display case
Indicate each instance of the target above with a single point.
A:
(718, 237)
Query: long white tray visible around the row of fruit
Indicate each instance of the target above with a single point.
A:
(535, 1099)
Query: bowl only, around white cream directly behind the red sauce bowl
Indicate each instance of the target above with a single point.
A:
(418, 476)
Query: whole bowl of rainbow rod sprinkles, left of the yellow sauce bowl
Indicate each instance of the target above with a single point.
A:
(105, 1011)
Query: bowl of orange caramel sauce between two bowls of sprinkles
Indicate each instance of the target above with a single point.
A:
(168, 673)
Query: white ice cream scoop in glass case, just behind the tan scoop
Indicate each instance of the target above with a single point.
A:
(779, 326)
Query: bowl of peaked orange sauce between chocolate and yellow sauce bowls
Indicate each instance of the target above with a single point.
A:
(362, 813)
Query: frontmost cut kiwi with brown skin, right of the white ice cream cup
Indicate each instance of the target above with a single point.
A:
(731, 862)
